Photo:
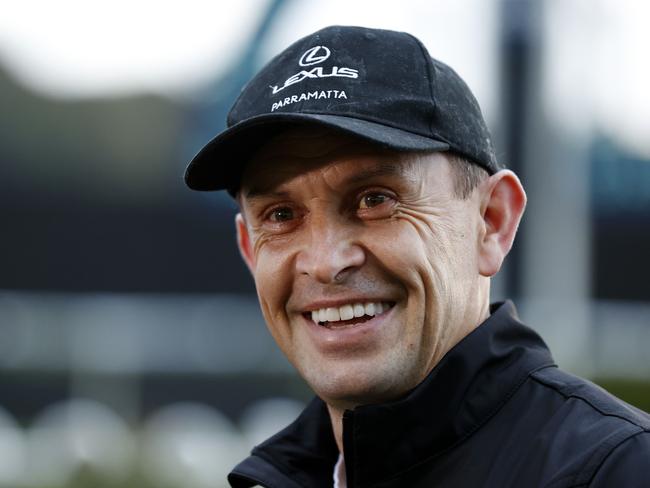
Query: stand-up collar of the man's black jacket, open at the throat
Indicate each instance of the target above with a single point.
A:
(469, 385)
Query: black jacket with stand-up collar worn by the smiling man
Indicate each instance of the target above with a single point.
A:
(495, 412)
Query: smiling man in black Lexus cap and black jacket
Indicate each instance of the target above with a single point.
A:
(373, 214)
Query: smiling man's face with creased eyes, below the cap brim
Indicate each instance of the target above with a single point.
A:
(334, 228)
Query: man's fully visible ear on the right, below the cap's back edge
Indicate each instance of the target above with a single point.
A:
(502, 206)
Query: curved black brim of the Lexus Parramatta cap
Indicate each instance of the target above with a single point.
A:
(220, 163)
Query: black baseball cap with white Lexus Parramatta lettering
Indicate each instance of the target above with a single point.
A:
(379, 85)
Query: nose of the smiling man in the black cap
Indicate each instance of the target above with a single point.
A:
(330, 252)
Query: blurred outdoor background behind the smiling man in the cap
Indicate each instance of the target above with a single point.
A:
(132, 351)
